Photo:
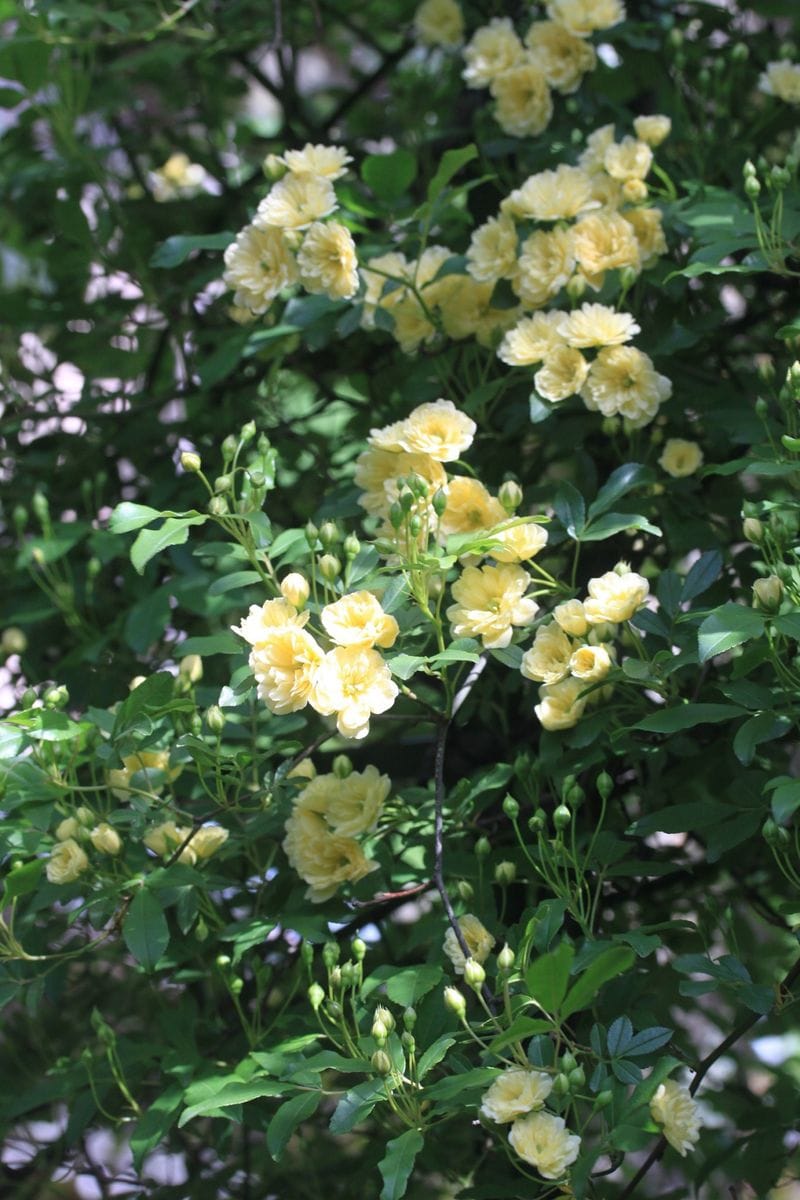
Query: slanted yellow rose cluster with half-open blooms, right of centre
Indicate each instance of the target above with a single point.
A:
(575, 652)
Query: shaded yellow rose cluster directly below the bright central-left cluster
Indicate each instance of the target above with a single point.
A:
(329, 814)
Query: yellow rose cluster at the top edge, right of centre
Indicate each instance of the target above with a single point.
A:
(555, 56)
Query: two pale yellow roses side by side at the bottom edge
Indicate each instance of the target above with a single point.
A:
(540, 1138)
